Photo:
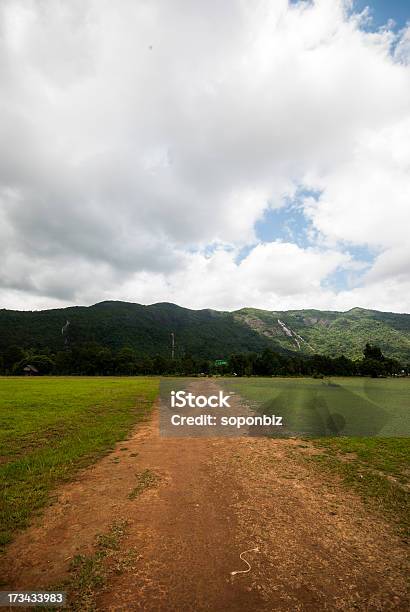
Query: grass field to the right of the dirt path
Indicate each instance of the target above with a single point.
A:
(375, 461)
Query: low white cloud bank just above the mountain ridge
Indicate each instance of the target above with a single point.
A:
(272, 273)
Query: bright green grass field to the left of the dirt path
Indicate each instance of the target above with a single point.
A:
(50, 427)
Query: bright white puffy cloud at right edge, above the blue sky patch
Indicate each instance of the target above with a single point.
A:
(366, 199)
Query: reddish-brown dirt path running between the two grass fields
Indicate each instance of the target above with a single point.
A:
(319, 548)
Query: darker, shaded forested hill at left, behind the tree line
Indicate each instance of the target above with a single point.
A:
(147, 329)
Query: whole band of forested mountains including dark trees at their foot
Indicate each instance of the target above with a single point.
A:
(114, 338)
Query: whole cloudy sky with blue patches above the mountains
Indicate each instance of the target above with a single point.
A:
(211, 154)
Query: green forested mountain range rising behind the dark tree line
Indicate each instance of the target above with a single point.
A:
(208, 333)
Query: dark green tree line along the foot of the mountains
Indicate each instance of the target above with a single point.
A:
(92, 359)
